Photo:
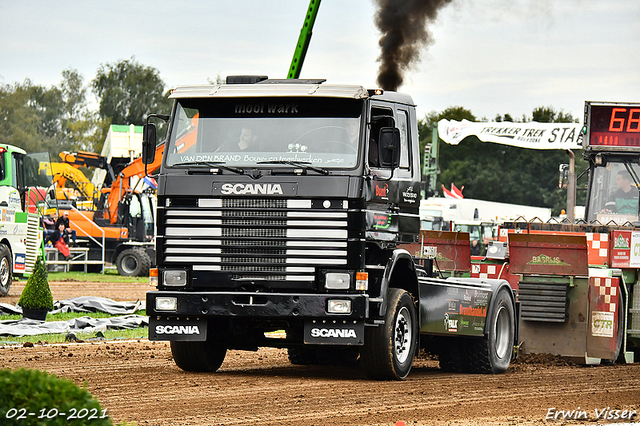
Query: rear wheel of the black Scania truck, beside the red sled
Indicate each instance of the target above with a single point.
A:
(492, 353)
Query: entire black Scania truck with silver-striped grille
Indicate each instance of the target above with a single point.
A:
(290, 205)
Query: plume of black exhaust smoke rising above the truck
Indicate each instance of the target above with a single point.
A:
(403, 24)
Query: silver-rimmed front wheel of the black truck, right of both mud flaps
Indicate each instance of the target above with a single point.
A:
(389, 349)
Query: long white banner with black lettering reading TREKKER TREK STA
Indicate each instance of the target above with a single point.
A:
(532, 135)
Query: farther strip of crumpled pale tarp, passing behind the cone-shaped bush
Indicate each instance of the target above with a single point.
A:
(83, 304)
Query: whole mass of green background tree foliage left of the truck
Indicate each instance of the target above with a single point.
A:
(57, 118)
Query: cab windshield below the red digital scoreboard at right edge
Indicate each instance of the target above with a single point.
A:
(614, 193)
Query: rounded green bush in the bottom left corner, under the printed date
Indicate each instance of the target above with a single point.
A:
(32, 391)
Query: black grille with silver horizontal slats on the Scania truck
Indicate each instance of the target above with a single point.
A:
(257, 239)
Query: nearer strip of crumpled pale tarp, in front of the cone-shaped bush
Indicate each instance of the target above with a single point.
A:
(29, 327)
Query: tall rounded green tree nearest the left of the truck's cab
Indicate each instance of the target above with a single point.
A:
(128, 91)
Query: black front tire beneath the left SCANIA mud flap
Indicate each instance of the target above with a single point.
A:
(199, 356)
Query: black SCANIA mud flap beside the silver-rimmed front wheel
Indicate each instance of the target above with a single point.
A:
(330, 332)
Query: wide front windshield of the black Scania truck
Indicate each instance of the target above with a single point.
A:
(323, 132)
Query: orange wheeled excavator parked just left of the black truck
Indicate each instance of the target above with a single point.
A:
(123, 214)
